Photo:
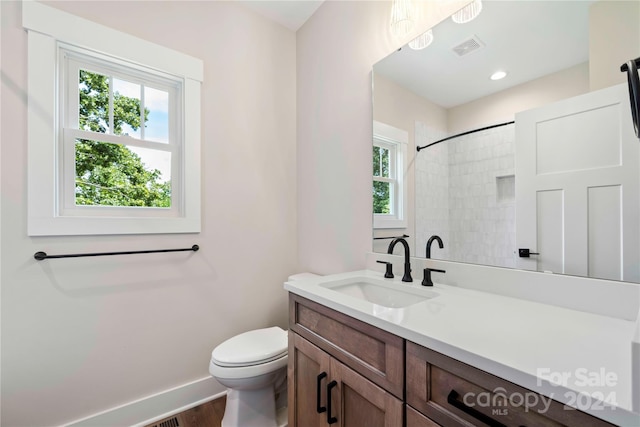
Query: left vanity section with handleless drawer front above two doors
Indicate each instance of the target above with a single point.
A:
(336, 368)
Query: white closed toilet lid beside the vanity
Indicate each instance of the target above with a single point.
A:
(252, 348)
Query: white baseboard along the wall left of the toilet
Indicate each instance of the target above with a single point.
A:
(156, 407)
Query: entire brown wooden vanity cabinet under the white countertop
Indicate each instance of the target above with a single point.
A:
(347, 373)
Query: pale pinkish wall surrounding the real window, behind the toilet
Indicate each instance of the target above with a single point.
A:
(83, 335)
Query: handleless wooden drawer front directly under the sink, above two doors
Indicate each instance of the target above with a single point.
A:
(373, 353)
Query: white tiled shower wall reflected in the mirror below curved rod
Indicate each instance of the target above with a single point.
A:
(465, 194)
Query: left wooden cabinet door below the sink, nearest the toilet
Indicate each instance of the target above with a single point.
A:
(308, 374)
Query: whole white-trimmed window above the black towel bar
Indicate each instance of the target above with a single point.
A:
(114, 130)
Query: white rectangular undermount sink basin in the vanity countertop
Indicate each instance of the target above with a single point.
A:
(380, 293)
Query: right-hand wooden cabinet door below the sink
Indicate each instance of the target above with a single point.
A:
(357, 402)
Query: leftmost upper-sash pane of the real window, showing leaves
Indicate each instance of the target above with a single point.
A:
(94, 101)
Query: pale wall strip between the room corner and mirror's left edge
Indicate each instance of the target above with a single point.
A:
(336, 50)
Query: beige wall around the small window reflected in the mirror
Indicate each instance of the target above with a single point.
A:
(401, 108)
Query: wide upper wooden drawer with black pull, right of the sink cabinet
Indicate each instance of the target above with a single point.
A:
(455, 394)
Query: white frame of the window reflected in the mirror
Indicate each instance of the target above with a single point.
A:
(396, 140)
